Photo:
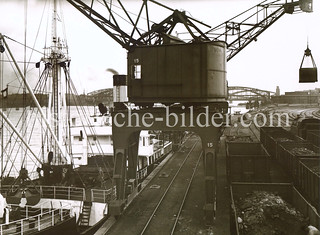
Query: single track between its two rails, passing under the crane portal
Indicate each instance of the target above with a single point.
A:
(165, 216)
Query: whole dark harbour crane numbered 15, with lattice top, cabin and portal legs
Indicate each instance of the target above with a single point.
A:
(187, 67)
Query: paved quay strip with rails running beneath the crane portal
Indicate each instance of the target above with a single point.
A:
(158, 207)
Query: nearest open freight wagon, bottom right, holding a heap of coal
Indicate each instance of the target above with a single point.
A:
(287, 192)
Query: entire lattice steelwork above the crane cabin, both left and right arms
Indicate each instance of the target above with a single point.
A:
(237, 32)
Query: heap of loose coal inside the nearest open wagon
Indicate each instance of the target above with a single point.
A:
(264, 213)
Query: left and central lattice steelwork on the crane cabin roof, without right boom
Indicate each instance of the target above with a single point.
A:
(111, 22)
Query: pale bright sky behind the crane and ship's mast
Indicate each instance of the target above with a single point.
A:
(273, 60)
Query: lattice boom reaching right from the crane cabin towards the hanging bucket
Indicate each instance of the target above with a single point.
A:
(241, 30)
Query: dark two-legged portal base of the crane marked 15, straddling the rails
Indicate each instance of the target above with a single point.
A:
(126, 129)
